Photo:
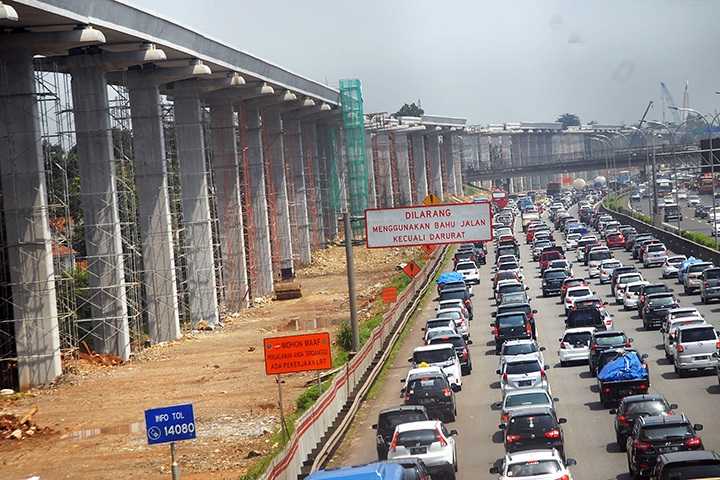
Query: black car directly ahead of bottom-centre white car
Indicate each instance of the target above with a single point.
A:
(534, 428)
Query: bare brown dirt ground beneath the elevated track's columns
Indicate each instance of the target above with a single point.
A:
(96, 413)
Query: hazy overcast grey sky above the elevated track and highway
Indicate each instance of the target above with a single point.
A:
(490, 61)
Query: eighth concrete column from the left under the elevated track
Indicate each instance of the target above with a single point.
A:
(299, 226)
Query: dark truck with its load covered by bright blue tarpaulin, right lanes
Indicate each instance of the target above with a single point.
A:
(621, 372)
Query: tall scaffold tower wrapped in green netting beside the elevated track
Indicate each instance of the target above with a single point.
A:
(354, 132)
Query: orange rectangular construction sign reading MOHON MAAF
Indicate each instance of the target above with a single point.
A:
(297, 353)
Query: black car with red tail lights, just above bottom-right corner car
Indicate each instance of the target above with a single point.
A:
(657, 435)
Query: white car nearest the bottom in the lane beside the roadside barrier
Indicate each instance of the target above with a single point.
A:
(428, 440)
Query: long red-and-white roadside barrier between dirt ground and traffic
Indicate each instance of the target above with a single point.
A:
(335, 406)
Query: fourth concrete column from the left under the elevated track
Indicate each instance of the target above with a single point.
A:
(198, 247)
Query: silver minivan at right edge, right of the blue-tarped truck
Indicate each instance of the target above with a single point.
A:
(695, 348)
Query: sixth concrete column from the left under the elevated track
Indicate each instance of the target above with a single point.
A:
(262, 279)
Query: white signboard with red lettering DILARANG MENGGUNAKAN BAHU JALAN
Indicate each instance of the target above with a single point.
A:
(428, 225)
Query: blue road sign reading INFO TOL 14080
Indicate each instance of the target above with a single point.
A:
(170, 424)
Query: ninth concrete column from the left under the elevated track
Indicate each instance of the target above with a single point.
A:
(312, 175)
